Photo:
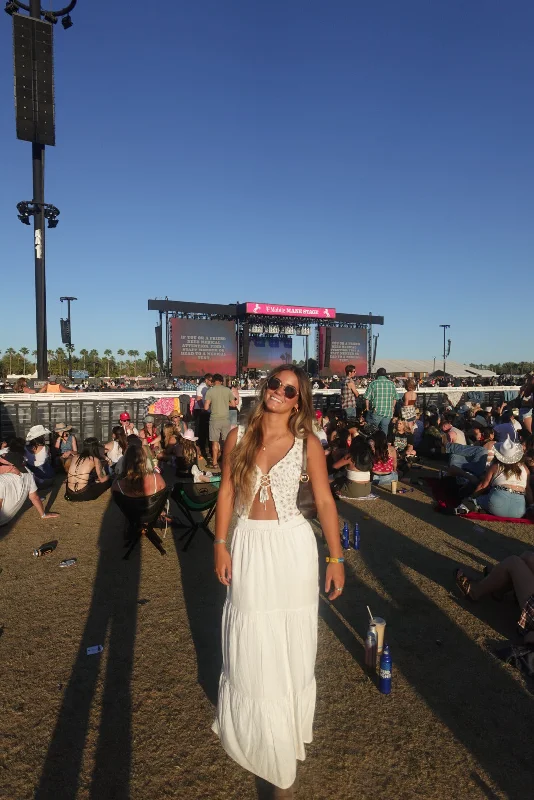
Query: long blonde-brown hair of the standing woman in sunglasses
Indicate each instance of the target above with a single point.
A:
(243, 456)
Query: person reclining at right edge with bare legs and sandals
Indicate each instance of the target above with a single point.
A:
(514, 573)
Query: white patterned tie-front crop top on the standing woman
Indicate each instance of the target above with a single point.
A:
(282, 482)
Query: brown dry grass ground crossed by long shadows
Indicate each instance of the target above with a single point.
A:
(134, 722)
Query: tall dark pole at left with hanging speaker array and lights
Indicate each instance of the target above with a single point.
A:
(34, 103)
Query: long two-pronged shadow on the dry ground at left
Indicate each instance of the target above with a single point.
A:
(112, 619)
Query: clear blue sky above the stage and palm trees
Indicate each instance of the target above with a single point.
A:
(371, 156)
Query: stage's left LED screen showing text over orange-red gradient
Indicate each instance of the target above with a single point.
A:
(203, 345)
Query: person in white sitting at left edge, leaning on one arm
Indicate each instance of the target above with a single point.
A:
(17, 484)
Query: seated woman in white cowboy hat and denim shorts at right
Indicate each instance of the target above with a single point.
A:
(506, 483)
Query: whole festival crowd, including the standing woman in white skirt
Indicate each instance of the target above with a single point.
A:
(373, 439)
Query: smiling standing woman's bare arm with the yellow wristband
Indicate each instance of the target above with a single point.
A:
(327, 512)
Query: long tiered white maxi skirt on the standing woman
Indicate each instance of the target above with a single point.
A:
(269, 639)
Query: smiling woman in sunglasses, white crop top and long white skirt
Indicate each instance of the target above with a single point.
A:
(267, 689)
